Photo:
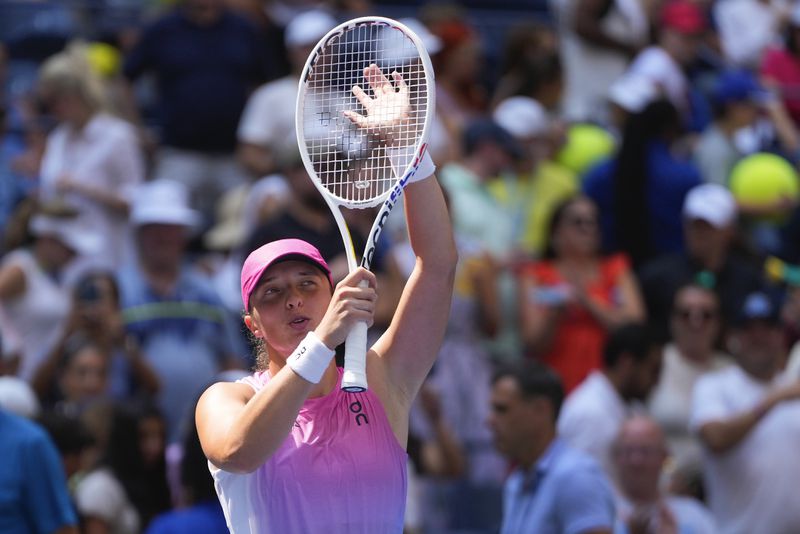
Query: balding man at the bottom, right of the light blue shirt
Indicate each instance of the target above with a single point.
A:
(639, 454)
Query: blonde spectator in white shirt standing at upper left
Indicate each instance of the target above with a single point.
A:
(93, 160)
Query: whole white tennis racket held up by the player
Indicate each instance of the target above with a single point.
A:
(365, 101)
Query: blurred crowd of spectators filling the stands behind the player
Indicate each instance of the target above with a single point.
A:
(622, 179)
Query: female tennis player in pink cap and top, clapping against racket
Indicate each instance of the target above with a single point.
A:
(289, 450)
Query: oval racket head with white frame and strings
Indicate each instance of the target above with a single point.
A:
(350, 165)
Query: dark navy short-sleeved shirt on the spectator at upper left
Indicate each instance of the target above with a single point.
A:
(204, 76)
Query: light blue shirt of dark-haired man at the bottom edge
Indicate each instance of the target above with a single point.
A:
(566, 492)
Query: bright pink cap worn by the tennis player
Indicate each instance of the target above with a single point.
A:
(282, 250)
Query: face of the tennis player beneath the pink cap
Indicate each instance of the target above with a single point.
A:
(289, 301)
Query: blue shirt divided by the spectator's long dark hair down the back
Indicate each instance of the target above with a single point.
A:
(668, 181)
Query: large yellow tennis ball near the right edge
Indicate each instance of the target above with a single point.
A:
(762, 179)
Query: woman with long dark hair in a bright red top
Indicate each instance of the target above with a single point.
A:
(574, 295)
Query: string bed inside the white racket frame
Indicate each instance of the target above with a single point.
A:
(360, 164)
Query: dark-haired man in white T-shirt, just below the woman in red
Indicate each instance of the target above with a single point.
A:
(594, 412)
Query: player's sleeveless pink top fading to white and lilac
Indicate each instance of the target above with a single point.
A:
(340, 470)
